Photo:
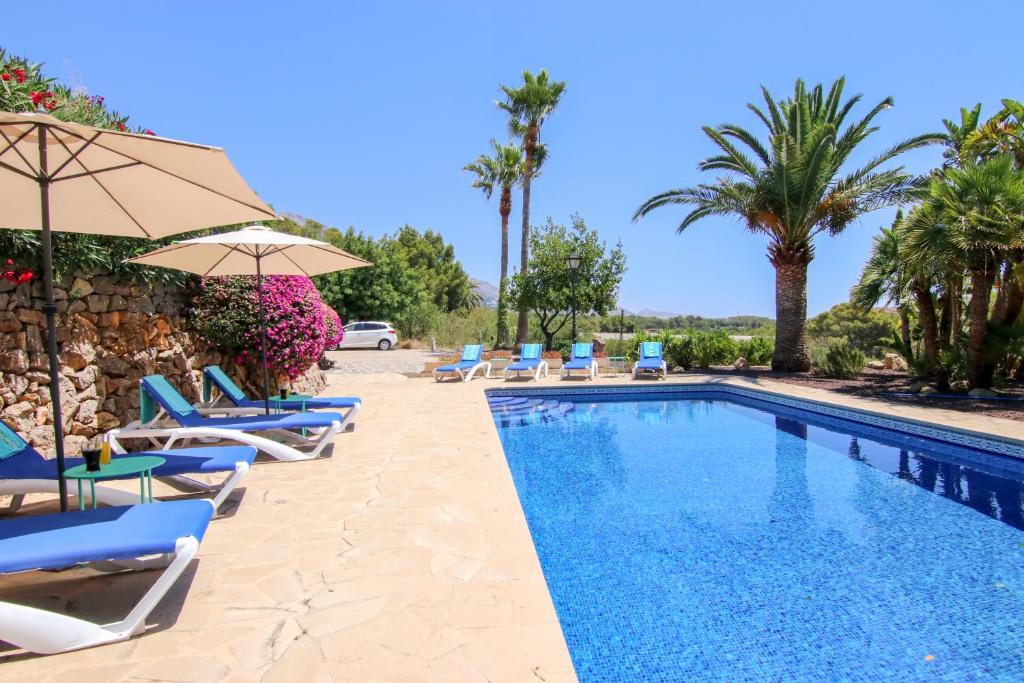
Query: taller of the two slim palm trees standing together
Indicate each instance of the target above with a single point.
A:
(529, 107)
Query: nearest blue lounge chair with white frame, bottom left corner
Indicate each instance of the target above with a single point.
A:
(108, 540)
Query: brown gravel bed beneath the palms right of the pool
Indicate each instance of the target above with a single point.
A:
(878, 385)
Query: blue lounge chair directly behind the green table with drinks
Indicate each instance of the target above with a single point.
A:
(24, 471)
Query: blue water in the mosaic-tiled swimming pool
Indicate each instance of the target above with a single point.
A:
(702, 539)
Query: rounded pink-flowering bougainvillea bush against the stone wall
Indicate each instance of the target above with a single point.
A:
(300, 325)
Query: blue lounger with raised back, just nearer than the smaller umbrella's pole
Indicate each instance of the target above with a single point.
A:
(167, 417)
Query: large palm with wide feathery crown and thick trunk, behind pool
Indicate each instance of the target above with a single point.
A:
(793, 189)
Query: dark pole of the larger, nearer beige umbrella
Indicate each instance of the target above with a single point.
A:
(51, 310)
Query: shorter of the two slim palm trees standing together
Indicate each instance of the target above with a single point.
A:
(502, 172)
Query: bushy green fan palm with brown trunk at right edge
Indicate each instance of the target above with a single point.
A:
(973, 217)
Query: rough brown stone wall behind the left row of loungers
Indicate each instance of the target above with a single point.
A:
(110, 334)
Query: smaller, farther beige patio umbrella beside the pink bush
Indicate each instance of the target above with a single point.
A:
(255, 250)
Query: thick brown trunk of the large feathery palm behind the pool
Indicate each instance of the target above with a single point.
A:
(792, 355)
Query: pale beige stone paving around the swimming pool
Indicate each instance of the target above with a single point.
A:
(405, 557)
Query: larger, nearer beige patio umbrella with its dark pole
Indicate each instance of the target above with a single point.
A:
(73, 179)
